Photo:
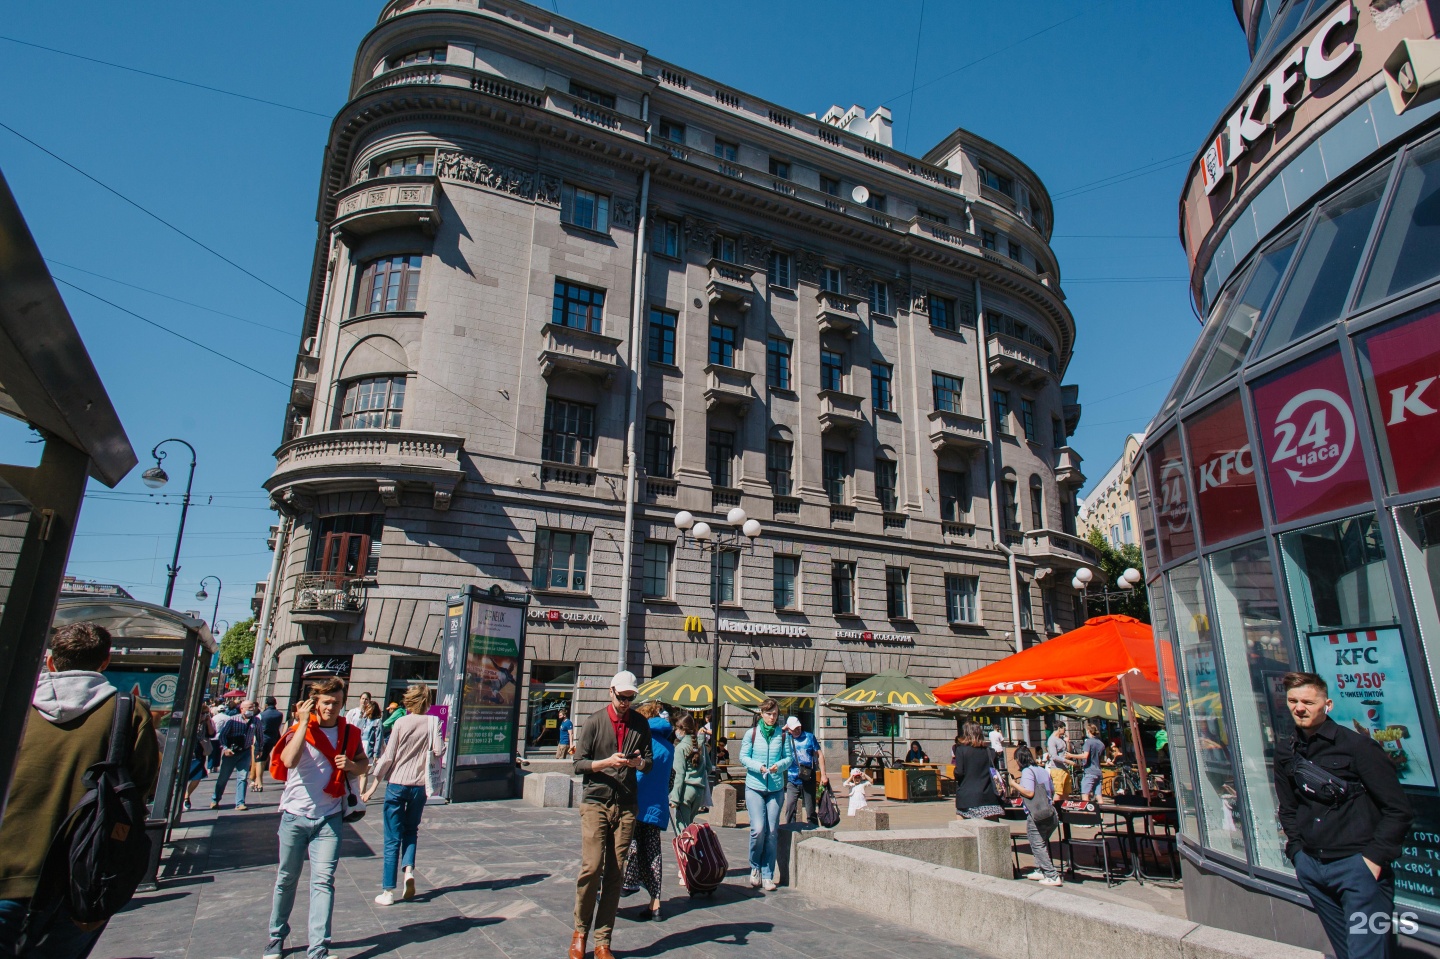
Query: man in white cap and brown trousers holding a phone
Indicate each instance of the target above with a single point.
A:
(613, 747)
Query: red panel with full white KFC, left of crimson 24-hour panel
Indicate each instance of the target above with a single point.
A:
(1223, 472)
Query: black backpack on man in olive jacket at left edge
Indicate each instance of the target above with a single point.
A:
(102, 852)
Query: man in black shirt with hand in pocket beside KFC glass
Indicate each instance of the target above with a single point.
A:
(1344, 820)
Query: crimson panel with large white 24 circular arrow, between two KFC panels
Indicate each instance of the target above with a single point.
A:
(1311, 440)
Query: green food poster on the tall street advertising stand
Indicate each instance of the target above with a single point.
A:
(492, 686)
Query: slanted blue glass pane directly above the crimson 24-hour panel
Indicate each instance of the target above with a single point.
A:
(1324, 269)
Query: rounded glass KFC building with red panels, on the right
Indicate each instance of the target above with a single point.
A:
(1290, 487)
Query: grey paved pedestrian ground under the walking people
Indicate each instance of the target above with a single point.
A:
(496, 879)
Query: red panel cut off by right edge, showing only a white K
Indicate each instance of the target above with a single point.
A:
(1405, 398)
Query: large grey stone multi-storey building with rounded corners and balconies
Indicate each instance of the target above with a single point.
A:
(565, 290)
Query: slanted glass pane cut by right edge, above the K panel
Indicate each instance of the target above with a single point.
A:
(1406, 251)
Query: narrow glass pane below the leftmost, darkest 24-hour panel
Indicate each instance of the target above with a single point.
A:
(1218, 798)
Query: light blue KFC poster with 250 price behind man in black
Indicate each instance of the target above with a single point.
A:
(1373, 695)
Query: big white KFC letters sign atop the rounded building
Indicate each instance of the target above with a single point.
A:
(1272, 99)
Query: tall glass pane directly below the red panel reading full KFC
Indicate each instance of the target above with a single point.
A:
(1248, 617)
